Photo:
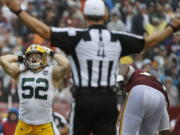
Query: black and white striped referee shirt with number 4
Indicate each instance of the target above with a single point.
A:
(94, 52)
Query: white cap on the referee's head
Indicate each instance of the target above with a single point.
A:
(94, 8)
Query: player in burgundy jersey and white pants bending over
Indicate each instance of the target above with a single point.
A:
(145, 108)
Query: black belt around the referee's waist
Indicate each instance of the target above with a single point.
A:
(94, 90)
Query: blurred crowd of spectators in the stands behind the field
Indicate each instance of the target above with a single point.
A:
(142, 17)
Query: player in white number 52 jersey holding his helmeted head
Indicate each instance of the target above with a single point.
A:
(37, 82)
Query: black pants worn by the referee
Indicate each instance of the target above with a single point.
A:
(94, 111)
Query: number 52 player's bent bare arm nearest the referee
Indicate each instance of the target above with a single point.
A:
(61, 69)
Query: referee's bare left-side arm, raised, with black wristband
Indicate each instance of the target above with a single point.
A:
(34, 24)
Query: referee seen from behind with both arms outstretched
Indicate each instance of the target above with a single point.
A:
(93, 53)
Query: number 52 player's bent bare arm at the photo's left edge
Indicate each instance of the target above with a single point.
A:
(10, 65)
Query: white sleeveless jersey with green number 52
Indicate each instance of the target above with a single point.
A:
(36, 92)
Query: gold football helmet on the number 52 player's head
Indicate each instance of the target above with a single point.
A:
(36, 57)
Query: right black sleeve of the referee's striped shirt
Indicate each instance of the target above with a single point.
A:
(131, 43)
